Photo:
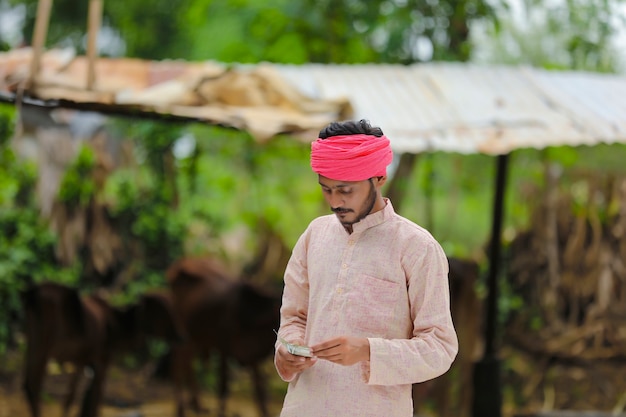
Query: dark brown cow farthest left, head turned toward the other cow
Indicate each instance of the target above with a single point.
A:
(85, 331)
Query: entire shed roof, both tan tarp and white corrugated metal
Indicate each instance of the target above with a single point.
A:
(454, 107)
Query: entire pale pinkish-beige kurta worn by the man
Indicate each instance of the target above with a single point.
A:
(387, 281)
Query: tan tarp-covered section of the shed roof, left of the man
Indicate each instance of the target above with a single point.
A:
(257, 99)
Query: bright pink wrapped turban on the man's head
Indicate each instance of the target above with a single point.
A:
(351, 157)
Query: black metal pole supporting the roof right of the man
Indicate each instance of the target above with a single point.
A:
(487, 385)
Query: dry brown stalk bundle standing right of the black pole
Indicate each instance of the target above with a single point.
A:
(569, 269)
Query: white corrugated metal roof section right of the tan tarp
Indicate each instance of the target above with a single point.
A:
(469, 108)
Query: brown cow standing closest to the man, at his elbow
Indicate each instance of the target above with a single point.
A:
(222, 315)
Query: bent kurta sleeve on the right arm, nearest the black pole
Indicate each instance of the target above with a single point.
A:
(434, 345)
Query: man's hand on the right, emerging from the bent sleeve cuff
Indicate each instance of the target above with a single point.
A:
(343, 350)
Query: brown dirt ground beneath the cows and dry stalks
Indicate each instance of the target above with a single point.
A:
(529, 386)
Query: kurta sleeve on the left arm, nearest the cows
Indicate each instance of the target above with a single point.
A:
(295, 301)
